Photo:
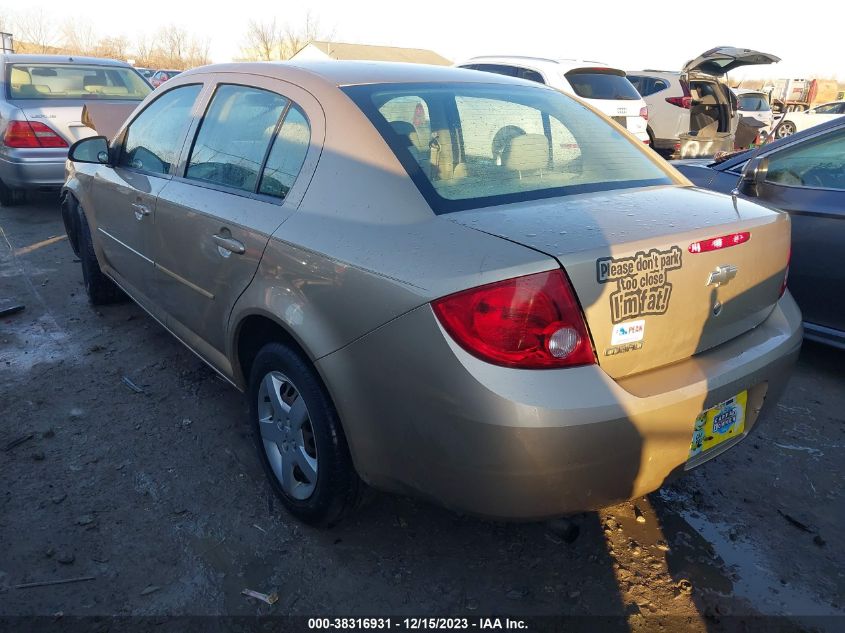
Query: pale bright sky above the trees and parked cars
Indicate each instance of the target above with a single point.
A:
(630, 35)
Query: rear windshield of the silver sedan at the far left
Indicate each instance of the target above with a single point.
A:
(75, 81)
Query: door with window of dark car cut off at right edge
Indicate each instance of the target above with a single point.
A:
(807, 179)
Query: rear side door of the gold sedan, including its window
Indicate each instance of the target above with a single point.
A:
(235, 187)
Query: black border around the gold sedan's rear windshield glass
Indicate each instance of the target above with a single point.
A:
(360, 95)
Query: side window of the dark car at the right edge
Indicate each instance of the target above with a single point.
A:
(818, 164)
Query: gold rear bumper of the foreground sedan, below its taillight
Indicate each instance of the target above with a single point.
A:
(423, 416)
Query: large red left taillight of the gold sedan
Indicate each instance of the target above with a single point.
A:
(530, 322)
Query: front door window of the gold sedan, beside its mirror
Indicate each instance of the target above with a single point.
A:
(154, 139)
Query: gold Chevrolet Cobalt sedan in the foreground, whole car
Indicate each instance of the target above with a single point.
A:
(457, 284)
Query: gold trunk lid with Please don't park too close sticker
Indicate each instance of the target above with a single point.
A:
(649, 298)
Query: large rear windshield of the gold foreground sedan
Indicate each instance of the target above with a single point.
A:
(475, 145)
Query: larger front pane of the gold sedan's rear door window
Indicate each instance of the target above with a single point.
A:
(234, 136)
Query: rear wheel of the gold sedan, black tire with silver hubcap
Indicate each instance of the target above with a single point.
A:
(299, 438)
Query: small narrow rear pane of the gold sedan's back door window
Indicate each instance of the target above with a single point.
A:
(287, 155)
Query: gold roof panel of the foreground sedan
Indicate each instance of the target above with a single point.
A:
(349, 73)
